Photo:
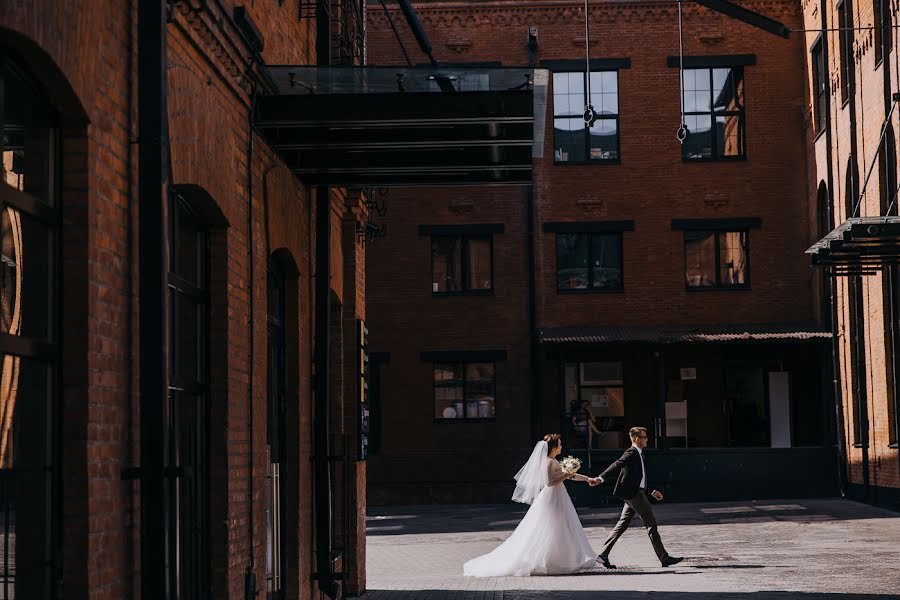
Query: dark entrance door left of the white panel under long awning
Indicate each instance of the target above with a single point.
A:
(745, 406)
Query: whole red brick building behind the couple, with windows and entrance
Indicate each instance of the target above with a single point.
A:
(665, 285)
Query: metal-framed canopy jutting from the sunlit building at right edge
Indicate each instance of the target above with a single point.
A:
(859, 246)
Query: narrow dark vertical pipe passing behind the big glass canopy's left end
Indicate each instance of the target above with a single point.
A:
(322, 475)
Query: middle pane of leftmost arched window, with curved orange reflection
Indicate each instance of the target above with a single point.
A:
(25, 275)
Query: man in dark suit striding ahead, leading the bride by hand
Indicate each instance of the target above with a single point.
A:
(631, 487)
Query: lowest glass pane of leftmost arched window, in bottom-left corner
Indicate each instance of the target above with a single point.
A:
(25, 497)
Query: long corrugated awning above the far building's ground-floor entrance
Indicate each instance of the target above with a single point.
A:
(676, 334)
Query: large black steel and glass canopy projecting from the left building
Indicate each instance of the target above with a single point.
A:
(380, 126)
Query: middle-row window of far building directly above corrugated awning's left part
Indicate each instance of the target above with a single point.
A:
(589, 261)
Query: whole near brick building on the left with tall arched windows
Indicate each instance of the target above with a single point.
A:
(235, 472)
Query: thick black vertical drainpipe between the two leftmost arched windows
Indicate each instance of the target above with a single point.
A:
(153, 249)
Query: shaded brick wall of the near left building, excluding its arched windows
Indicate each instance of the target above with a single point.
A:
(85, 55)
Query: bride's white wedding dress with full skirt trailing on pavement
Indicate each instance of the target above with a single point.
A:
(549, 541)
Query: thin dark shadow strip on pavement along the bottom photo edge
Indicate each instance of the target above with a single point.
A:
(608, 595)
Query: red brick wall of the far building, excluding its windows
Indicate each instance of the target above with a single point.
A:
(651, 186)
